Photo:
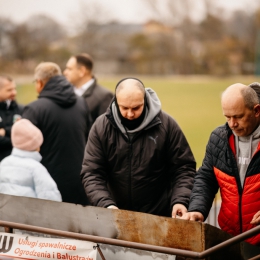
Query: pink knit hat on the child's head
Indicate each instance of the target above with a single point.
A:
(26, 136)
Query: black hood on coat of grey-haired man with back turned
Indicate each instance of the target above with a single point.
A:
(60, 91)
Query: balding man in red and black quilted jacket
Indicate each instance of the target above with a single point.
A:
(232, 164)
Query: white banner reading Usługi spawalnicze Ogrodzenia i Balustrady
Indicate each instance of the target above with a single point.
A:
(29, 247)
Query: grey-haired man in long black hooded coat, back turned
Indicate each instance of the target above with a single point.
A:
(61, 116)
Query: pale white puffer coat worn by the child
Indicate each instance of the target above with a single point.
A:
(22, 174)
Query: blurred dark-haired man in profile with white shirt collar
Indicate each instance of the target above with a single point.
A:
(79, 72)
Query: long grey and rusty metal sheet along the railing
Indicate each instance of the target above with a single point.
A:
(109, 223)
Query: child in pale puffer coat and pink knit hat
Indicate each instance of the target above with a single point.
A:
(21, 173)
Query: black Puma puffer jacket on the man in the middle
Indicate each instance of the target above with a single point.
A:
(150, 173)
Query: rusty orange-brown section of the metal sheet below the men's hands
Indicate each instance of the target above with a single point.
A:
(161, 231)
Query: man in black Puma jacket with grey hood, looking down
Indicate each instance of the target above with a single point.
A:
(137, 158)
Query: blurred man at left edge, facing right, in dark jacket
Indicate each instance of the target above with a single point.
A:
(10, 111)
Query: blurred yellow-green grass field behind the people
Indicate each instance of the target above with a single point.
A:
(193, 101)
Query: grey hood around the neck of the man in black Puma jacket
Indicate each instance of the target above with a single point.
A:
(153, 109)
